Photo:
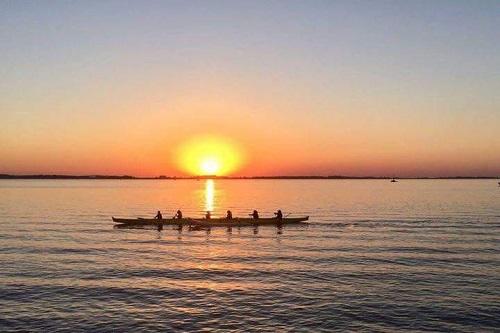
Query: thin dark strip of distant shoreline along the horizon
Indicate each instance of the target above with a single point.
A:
(126, 177)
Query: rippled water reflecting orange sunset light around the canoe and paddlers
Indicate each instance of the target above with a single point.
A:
(377, 256)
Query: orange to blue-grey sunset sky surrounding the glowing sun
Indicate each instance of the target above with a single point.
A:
(359, 88)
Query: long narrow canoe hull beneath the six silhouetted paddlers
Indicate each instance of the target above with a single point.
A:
(217, 222)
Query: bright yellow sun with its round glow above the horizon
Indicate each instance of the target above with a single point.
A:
(209, 155)
